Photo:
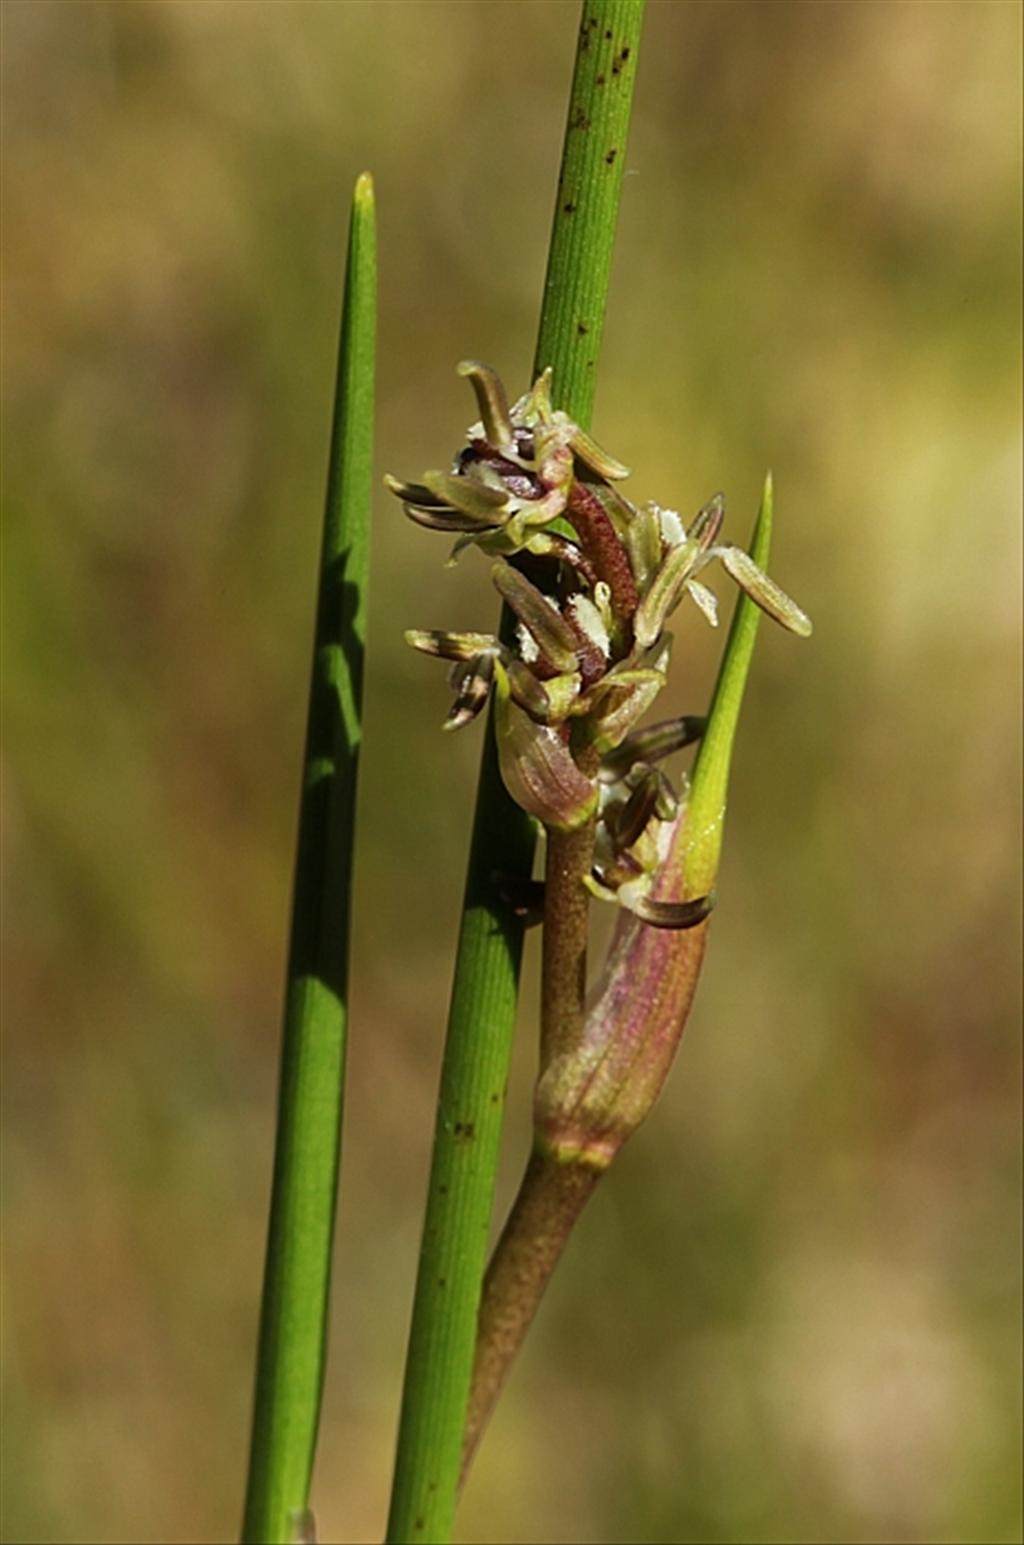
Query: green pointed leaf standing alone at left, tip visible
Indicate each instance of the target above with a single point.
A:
(297, 1275)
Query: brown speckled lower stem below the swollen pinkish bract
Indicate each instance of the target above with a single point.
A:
(551, 1200)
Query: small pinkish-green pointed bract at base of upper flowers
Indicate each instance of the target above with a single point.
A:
(537, 766)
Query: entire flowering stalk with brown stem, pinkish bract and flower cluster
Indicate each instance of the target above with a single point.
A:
(586, 659)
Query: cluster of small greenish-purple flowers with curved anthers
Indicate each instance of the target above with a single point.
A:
(591, 650)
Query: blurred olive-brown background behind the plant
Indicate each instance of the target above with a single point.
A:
(793, 1312)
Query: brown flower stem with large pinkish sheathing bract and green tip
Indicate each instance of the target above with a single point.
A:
(606, 1068)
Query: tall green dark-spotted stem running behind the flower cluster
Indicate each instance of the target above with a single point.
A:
(483, 1011)
